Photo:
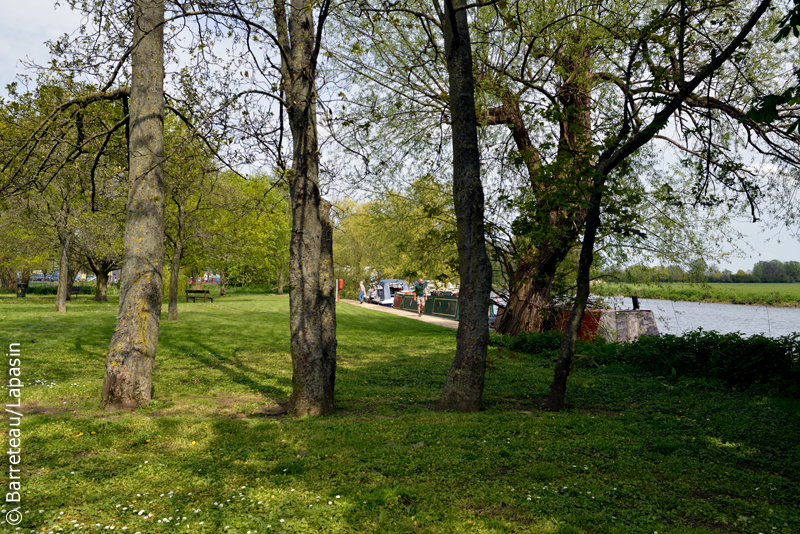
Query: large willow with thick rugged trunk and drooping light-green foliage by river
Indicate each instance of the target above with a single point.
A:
(548, 81)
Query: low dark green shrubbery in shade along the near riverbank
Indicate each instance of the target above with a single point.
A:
(730, 359)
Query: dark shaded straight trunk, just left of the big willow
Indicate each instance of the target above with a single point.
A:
(463, 387)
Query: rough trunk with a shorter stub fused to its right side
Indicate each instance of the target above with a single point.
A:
(313, 365)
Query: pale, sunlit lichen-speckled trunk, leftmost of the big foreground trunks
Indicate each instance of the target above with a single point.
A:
(129, 363)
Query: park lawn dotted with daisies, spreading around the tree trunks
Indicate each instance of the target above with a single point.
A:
(633, 454)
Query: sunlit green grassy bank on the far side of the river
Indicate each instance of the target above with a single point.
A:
(787, 295)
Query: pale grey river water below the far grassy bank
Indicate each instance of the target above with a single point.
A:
(678, 317)
